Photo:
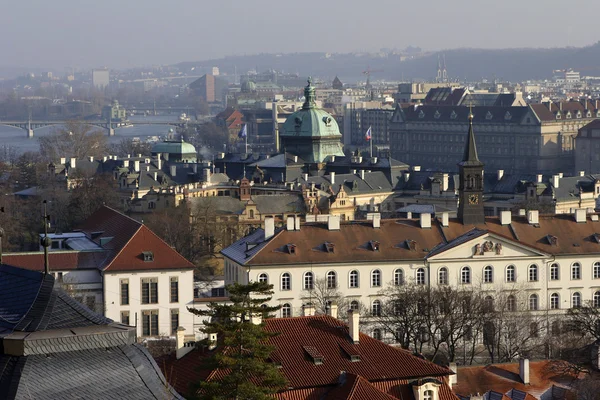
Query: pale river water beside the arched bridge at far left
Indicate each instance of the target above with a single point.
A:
(17, 138)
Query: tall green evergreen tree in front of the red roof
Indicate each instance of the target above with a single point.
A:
(243, 350)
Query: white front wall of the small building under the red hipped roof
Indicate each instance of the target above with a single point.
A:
(113, 306)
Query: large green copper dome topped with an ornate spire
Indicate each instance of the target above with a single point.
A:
(311, 133)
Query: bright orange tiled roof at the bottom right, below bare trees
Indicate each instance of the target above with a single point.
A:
(505, 377)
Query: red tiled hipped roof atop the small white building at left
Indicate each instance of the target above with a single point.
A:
(125, 239)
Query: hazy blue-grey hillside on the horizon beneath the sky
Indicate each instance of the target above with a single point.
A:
(470, 64)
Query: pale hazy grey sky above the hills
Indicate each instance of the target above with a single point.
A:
(124, 33)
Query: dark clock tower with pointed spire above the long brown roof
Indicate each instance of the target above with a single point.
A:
(470, 191)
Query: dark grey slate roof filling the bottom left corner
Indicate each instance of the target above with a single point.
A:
(55, 348)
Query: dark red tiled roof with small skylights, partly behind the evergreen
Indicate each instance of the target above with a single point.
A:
(378, 363)
